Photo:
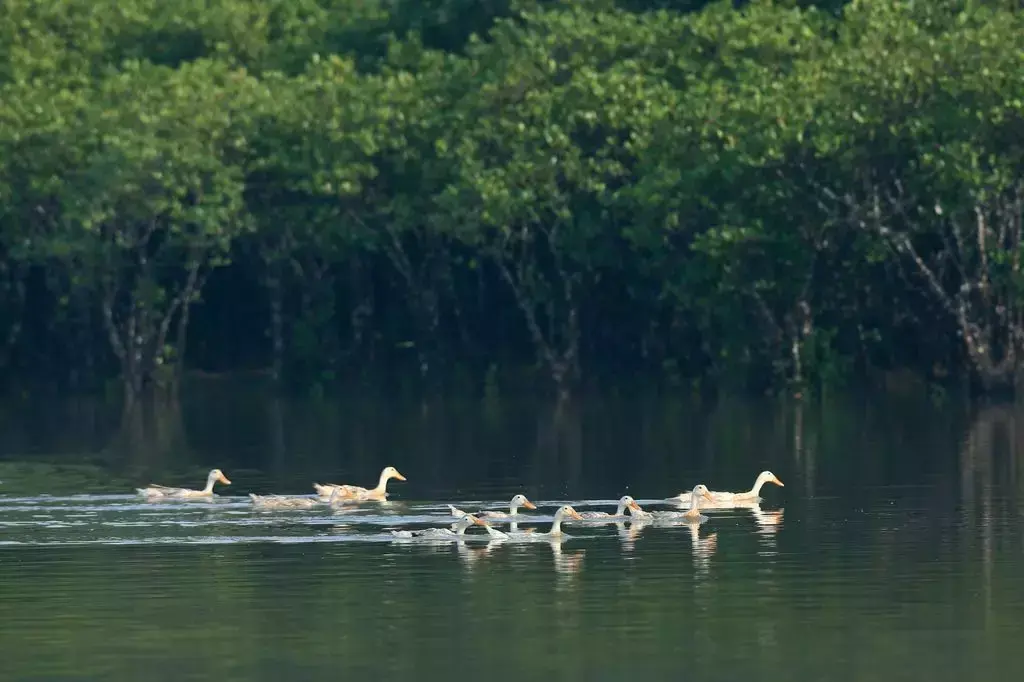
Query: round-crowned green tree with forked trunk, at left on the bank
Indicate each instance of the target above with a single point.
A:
(150, 203)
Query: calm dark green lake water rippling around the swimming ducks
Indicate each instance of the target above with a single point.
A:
(895, 551)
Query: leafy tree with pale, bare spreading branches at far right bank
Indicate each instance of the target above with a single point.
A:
(926, 138)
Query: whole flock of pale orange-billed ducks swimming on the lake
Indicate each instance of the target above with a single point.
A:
(335, 495)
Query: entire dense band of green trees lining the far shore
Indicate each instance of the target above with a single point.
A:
(770, 197)
